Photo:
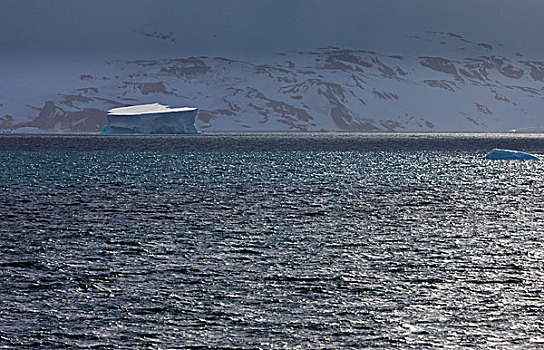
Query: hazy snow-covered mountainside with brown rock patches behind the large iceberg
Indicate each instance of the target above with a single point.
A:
(453, 85)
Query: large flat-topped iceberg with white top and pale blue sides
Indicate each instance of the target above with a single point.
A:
(151, 119)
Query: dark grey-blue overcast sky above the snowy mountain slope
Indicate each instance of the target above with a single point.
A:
(257, 27)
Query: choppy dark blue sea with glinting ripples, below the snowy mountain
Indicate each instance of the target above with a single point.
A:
(390, 248)
